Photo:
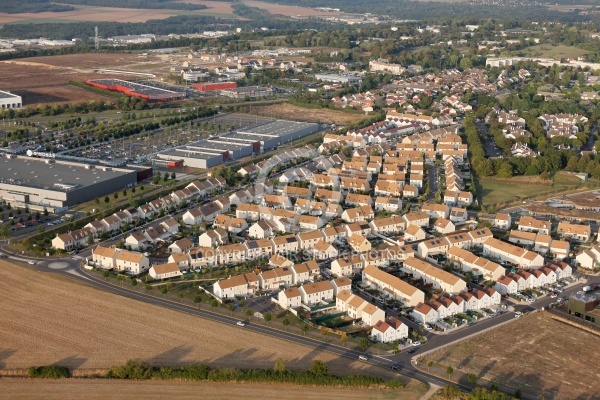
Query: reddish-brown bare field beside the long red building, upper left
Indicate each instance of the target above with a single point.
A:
(41, 80)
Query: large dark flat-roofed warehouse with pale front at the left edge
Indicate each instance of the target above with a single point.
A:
(49, 183)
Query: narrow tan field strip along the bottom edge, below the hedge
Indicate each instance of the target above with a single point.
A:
(91, 389)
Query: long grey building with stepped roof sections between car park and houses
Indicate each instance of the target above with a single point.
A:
(212, 152)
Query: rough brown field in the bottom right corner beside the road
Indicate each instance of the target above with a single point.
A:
(535, 353)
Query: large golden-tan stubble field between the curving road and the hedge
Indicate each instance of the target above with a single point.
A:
(48, 319)
